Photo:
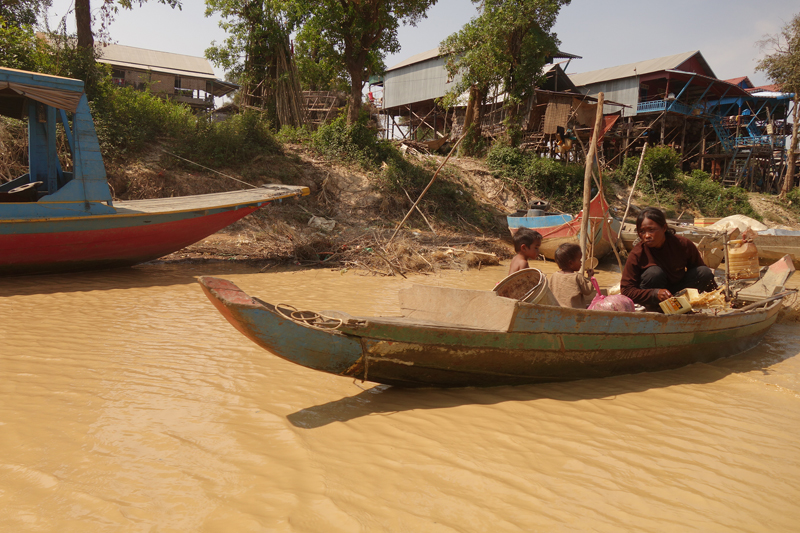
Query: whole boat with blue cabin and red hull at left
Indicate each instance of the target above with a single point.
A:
(53, 221)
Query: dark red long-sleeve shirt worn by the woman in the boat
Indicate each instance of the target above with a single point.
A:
(674, 257)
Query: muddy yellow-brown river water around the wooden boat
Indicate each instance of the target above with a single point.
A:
(129, 404)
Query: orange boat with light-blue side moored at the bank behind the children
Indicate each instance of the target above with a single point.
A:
(559, 229)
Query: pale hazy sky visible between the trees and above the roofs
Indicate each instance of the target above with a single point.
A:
(605, 33)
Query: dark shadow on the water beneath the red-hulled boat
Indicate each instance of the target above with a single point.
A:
(137, 277)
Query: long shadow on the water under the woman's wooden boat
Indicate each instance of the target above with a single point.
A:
(385, 399)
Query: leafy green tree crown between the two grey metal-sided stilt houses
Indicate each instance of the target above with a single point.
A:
(506, 47)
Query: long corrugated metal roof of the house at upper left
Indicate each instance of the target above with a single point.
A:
(129, 56)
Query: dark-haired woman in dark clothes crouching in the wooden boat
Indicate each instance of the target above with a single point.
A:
(662, 263)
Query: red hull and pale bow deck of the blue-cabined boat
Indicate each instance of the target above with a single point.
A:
(135, 232)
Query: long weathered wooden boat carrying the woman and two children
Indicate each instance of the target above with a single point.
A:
(456, 338)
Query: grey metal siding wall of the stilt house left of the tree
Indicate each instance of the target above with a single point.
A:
(416, 83)
